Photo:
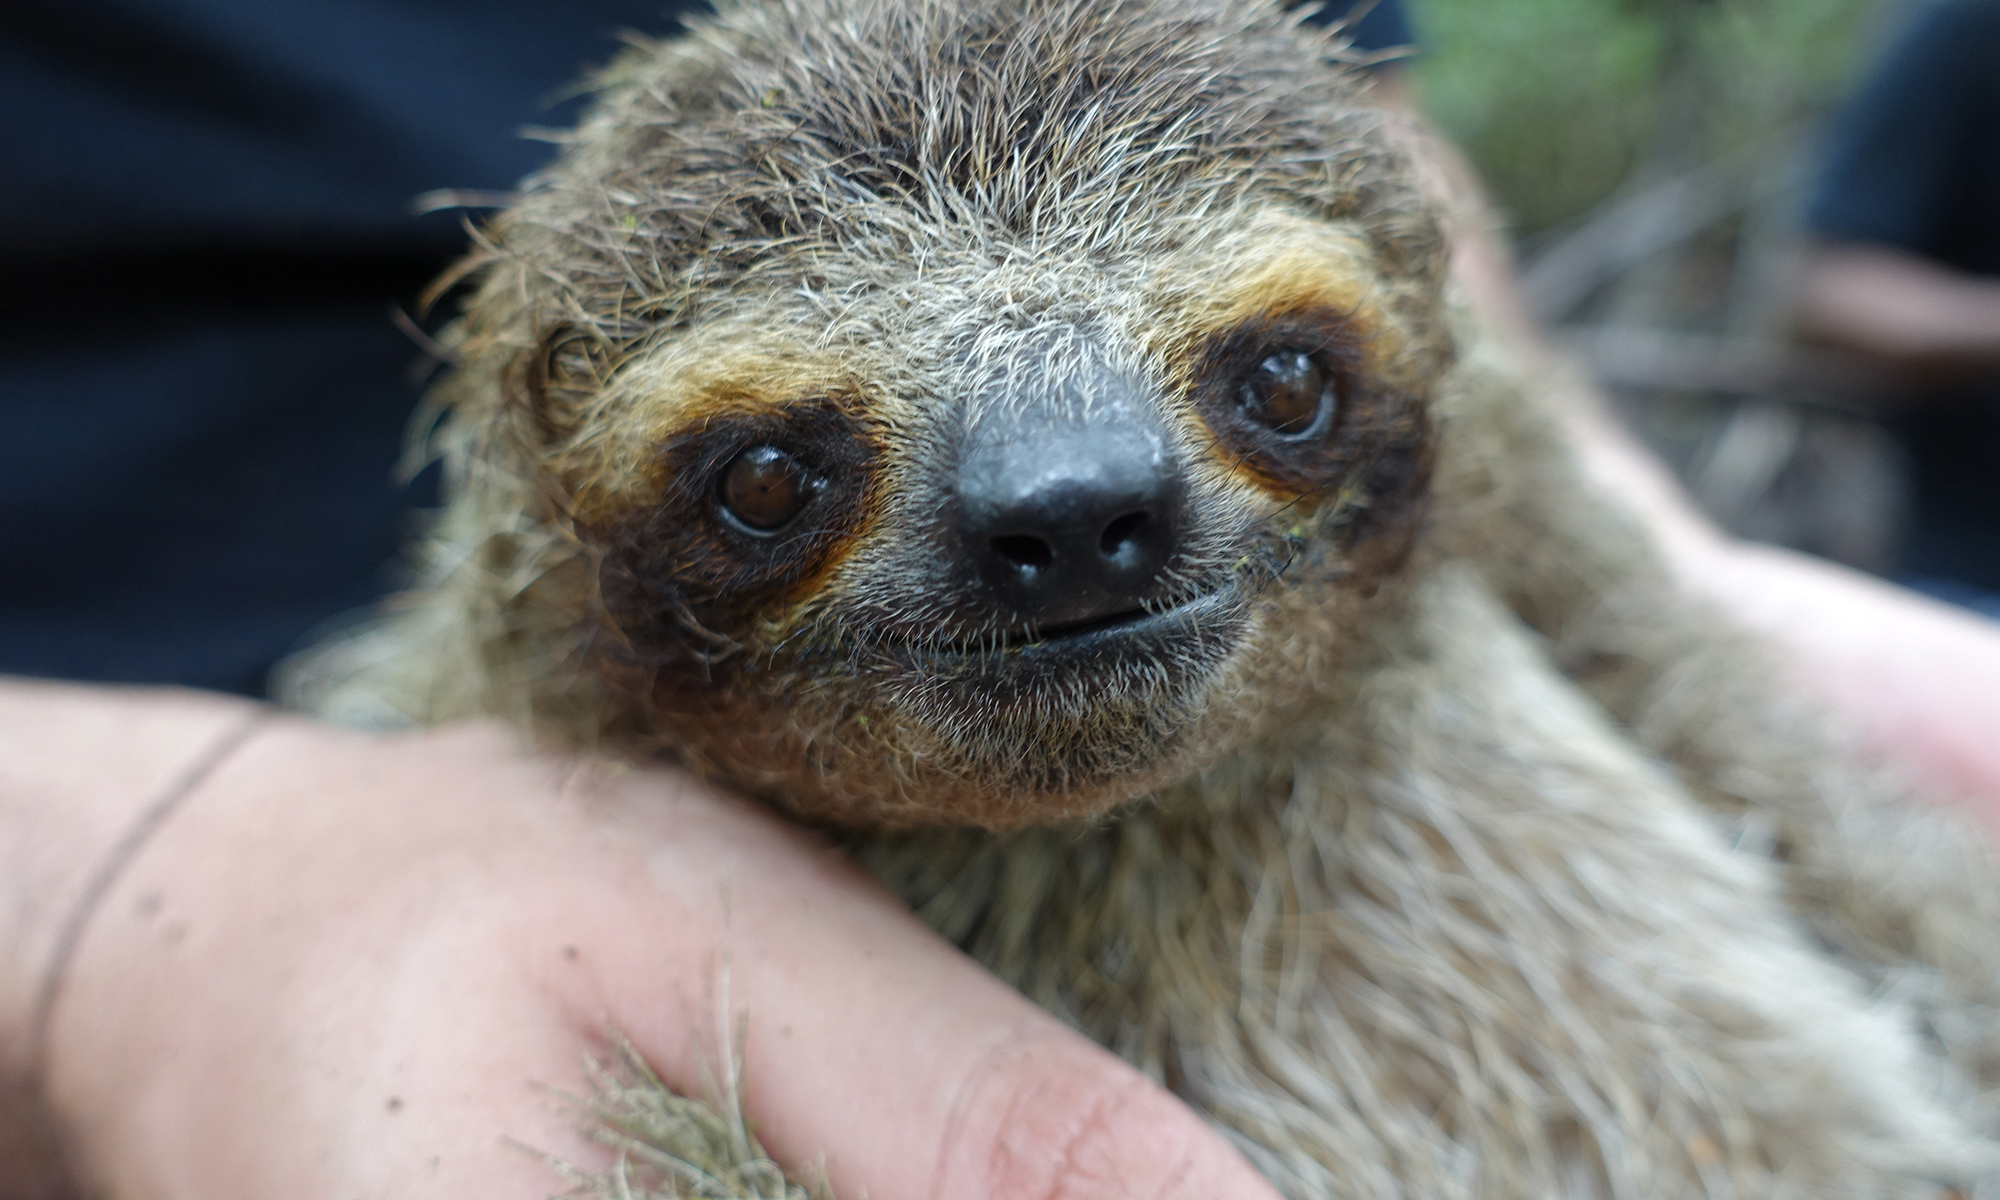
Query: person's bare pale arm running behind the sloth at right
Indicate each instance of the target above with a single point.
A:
(1915, 681)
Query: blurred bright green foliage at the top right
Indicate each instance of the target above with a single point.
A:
(1561, 101)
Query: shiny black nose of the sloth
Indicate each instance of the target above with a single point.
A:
(1071, 517)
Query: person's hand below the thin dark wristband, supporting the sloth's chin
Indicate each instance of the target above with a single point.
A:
(359, 965)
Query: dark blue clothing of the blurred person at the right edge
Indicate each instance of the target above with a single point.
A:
(1915, 165)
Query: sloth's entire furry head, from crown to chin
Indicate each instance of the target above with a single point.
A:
(951, 411)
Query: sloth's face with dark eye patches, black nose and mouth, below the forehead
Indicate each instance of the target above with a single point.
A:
(1043, 545)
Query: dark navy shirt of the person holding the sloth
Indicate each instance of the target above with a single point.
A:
(205, 225)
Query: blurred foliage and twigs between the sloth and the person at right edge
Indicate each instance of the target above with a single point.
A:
(1653, 161)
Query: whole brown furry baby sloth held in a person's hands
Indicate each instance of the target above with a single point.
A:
(1029, 439)
